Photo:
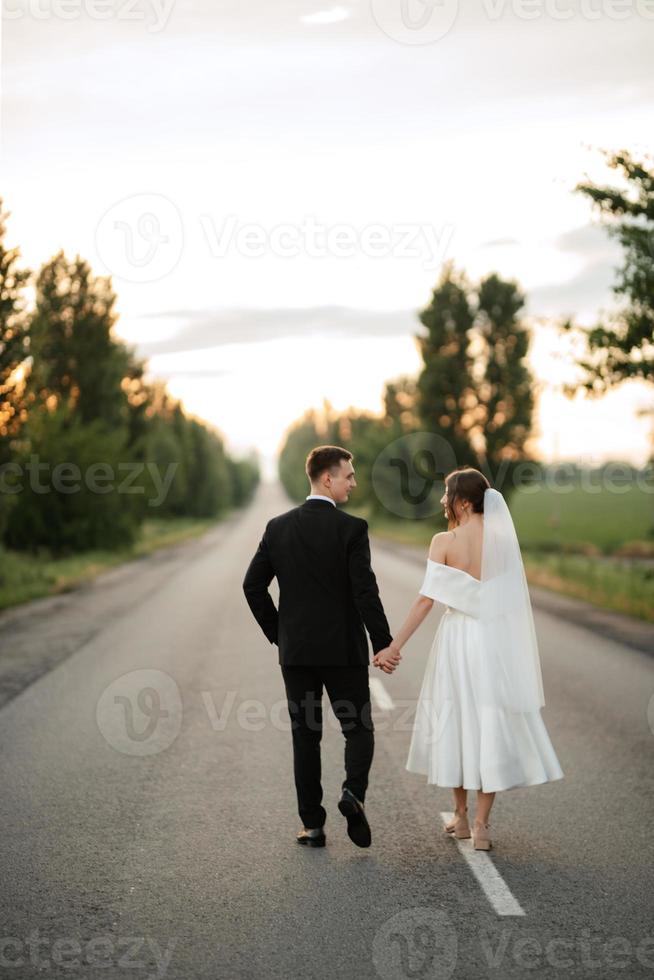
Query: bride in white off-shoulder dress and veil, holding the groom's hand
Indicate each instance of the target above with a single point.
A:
(478, 724)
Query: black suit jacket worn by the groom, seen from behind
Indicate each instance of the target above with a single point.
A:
(327, 590)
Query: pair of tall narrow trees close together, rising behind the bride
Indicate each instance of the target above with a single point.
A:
(475, 390)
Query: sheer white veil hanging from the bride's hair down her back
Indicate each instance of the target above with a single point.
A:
(507, 622)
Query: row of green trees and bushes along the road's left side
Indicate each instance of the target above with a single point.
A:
(89, 447)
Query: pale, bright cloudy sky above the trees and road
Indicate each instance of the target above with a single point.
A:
(274, 187)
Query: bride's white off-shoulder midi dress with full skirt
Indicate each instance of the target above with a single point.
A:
(458, 738)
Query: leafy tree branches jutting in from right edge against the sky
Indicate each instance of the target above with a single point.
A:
(622, 347)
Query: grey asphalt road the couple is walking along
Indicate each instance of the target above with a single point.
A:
(148, 818)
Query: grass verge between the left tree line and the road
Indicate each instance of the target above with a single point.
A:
(24, 577)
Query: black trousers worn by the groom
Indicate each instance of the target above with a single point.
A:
(349, 694)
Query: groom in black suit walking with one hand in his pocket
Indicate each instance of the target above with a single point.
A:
(327, 595)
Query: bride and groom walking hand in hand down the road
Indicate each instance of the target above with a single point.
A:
(477, 724)
